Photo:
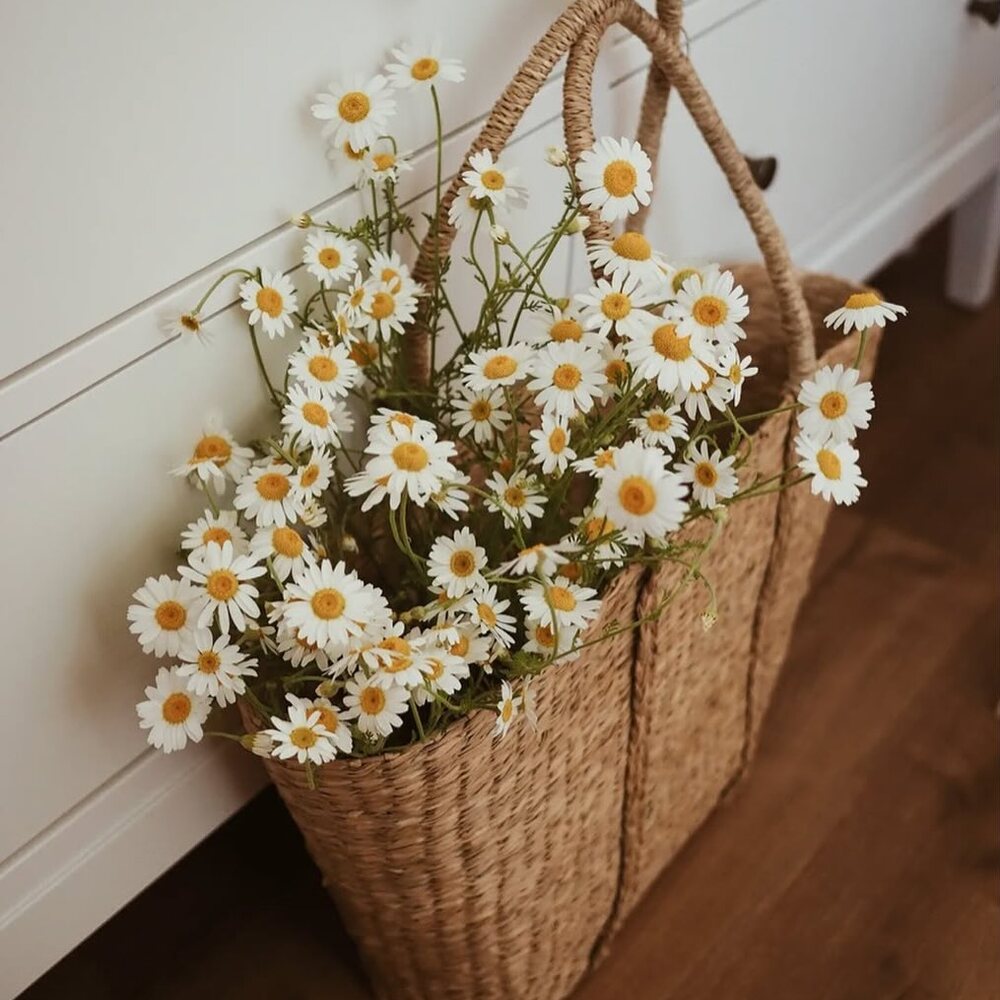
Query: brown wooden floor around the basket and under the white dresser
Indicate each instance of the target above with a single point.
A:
(860, 860)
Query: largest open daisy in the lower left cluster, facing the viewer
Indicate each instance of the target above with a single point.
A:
(329, 605)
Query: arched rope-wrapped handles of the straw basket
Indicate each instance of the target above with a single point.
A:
(578, 31)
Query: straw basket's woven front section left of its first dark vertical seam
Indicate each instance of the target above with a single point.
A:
(472, 867)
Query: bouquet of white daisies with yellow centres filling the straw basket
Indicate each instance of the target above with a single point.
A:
(395, 554)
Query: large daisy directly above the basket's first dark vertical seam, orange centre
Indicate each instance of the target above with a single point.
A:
(640, 495)
